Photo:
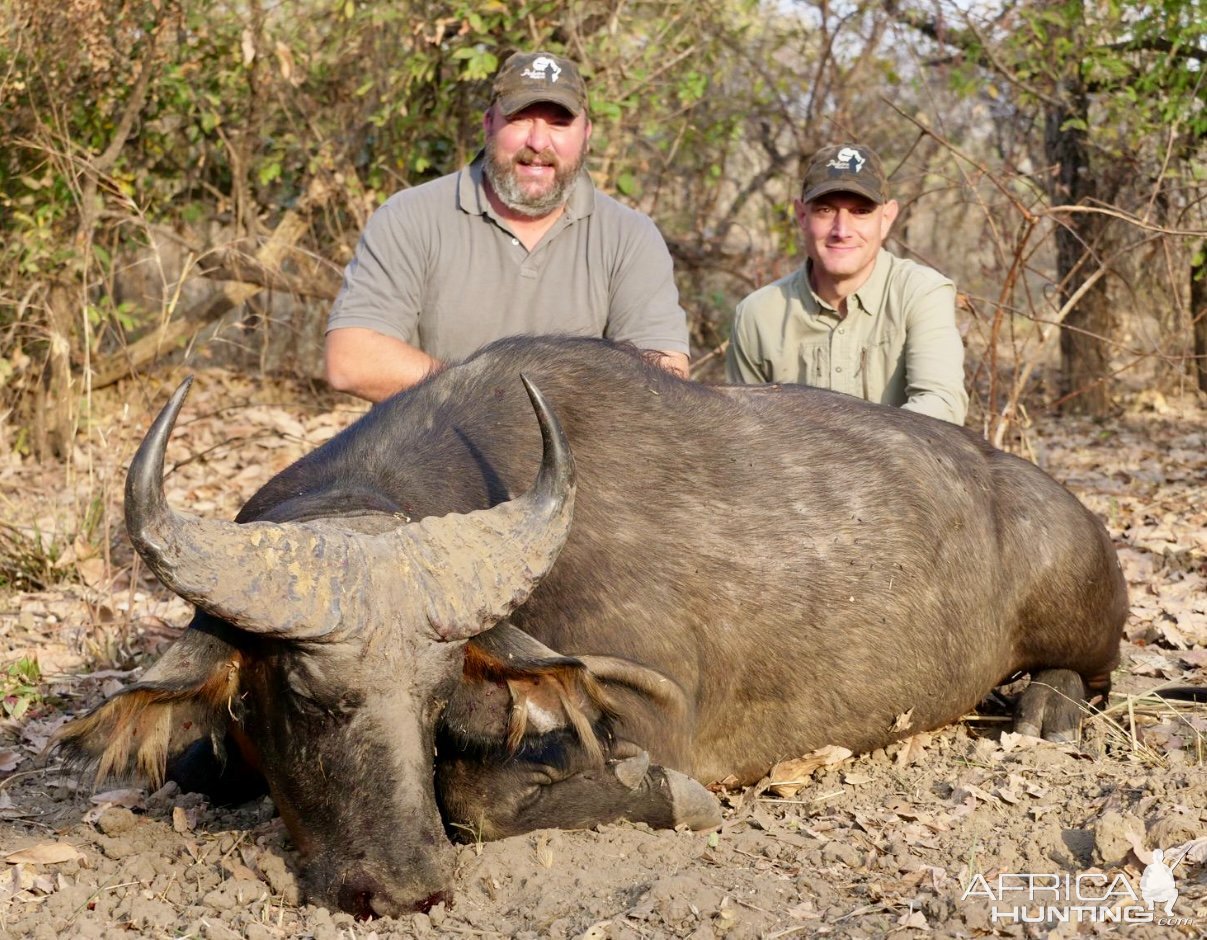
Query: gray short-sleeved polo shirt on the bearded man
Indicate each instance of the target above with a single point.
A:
(438, 268)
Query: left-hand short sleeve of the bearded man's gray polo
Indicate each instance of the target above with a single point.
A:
(384, 282)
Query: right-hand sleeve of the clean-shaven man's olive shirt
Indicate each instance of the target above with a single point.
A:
(935, 357)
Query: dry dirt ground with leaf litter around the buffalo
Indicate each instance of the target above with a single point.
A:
(934, 837)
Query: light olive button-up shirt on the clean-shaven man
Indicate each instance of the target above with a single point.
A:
(899, 343)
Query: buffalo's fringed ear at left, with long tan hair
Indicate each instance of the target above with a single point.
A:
(184, 697)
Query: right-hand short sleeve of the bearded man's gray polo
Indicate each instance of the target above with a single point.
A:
(644, 306)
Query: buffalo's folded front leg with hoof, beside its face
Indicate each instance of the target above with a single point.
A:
(503, 801)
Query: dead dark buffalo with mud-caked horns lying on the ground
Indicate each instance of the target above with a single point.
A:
(749, 575)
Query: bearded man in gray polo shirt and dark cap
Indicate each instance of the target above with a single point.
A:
(518, 242)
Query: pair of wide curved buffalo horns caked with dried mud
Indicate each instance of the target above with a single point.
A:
(314, 581)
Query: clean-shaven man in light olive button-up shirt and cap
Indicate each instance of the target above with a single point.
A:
(855, 318)
